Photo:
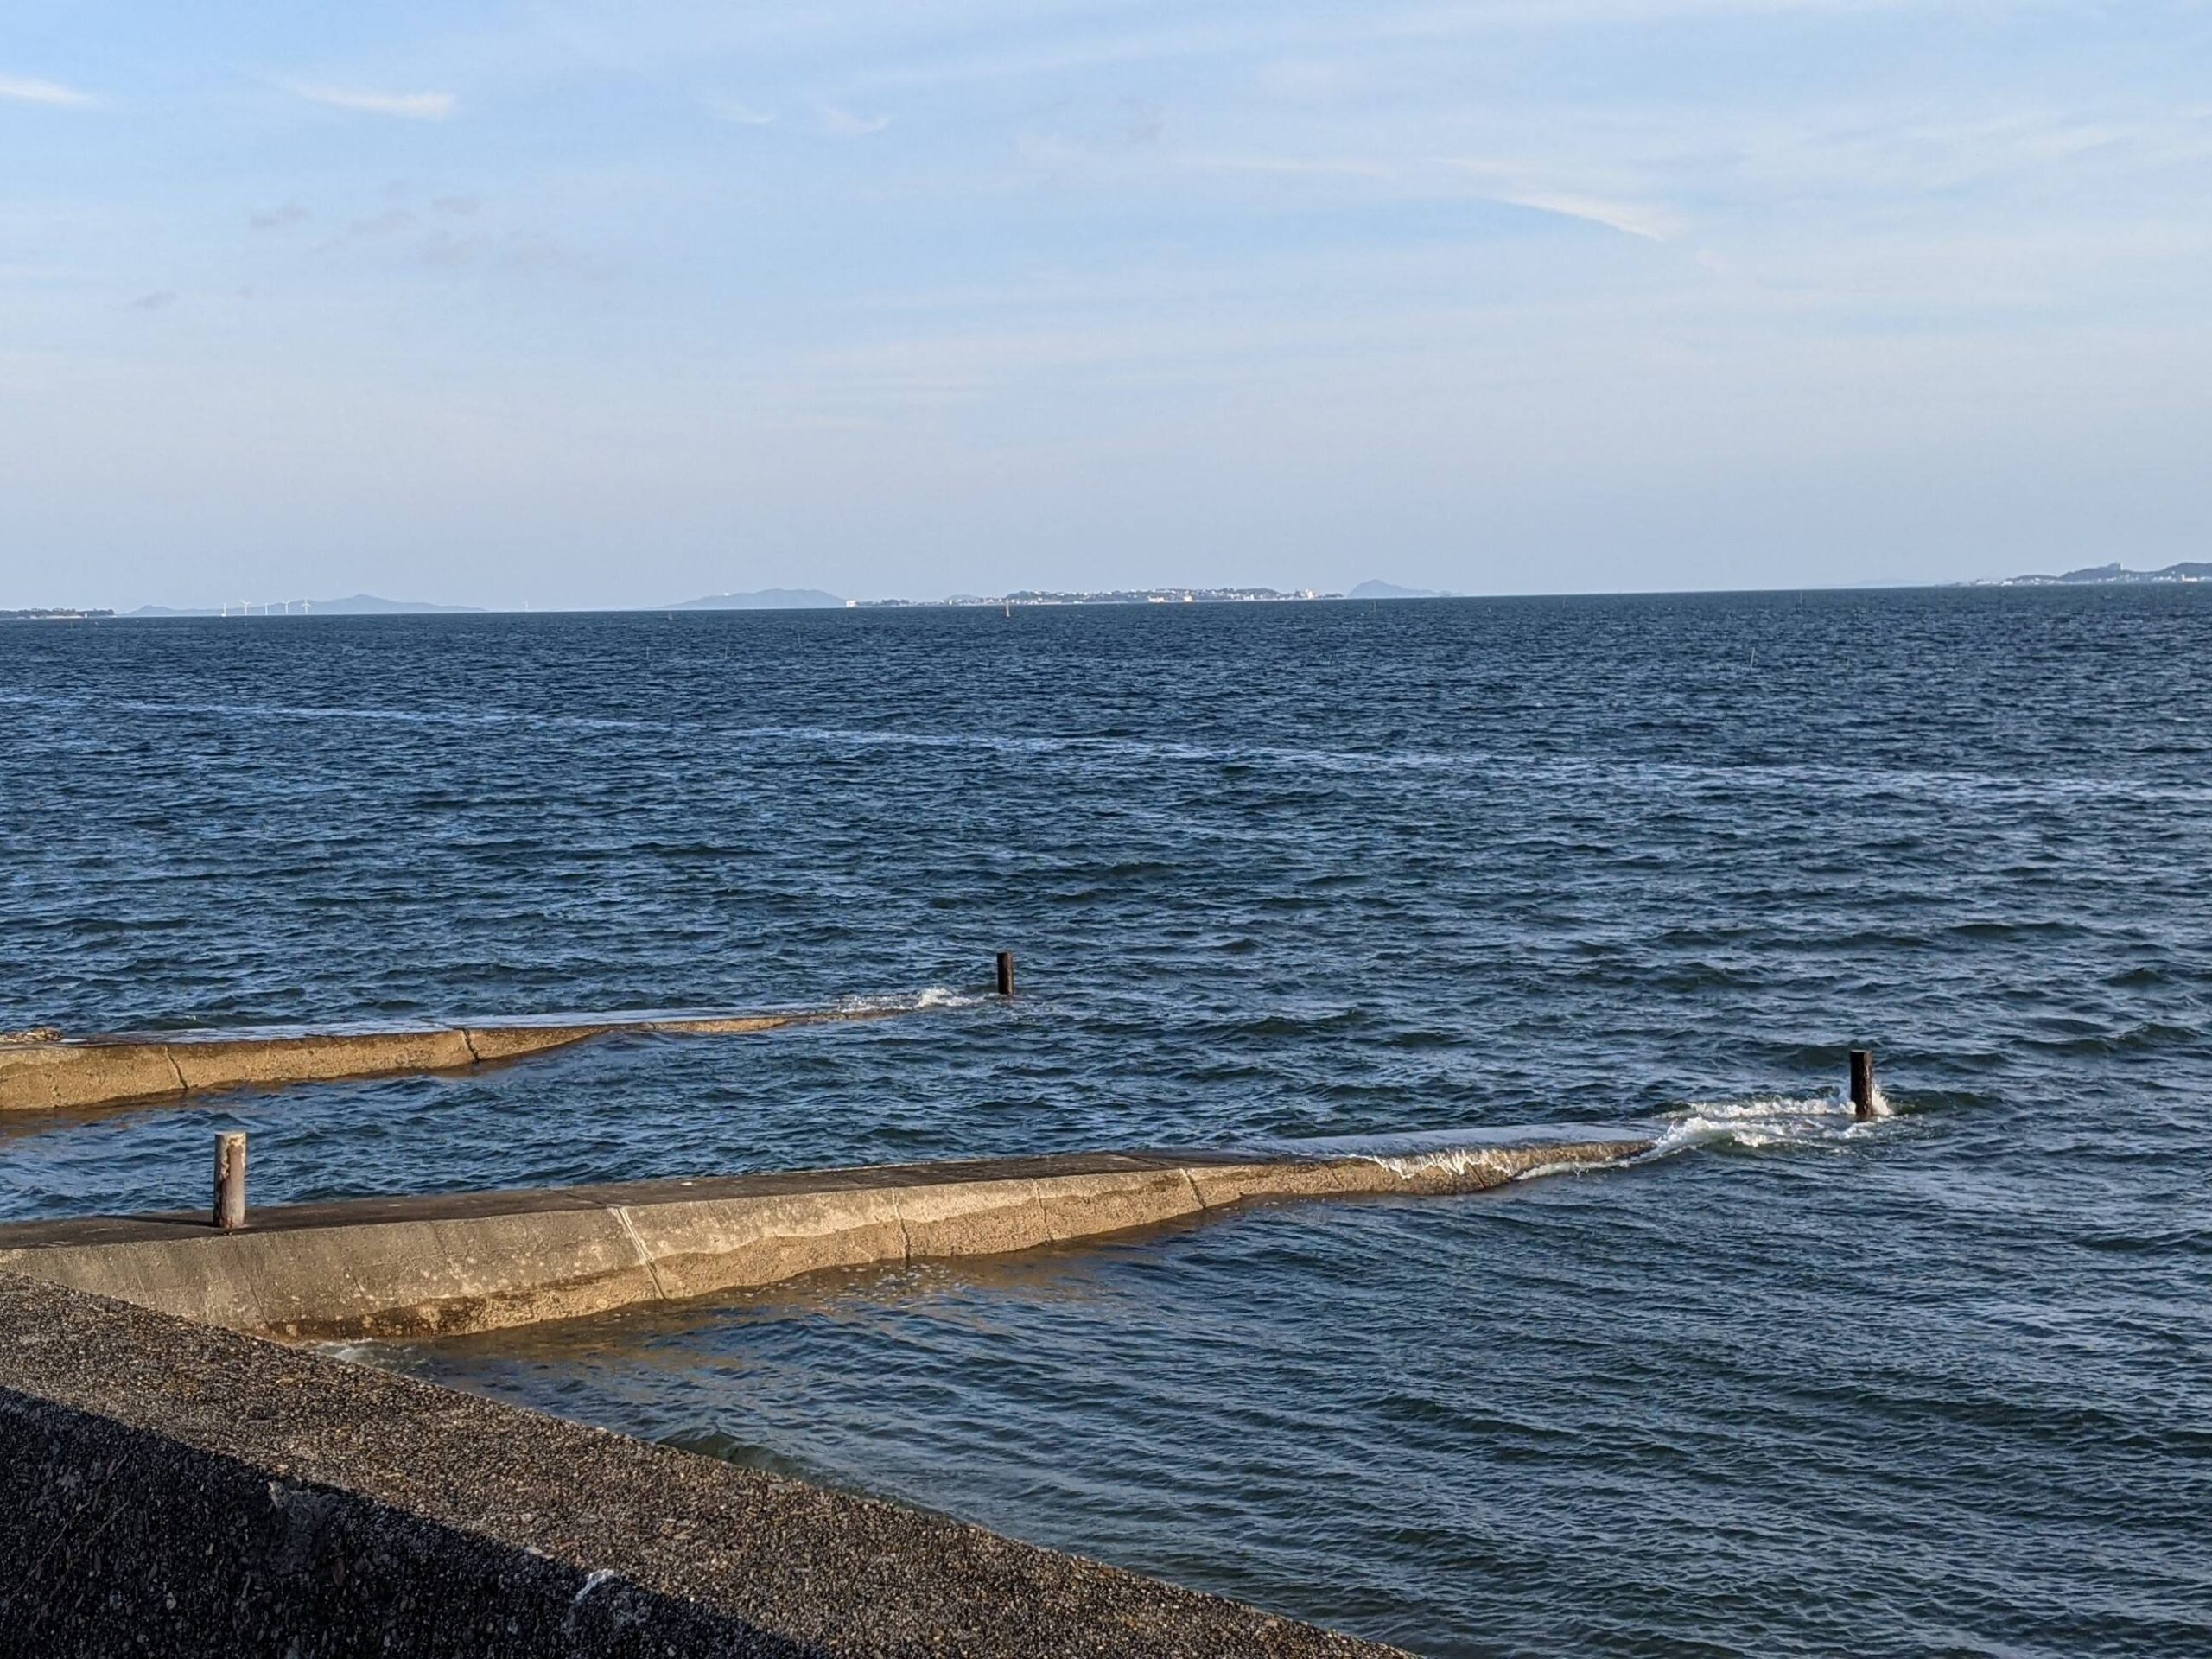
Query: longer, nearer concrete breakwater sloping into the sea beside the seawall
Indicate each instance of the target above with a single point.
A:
(397, 1269)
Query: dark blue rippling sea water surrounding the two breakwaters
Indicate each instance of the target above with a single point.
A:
(1932, 1386)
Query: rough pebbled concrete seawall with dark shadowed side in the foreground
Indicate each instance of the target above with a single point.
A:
(191, 1492)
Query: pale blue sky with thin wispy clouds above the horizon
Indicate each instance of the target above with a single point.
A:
(603, 306)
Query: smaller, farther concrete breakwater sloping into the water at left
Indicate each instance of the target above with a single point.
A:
(45, 1072)
